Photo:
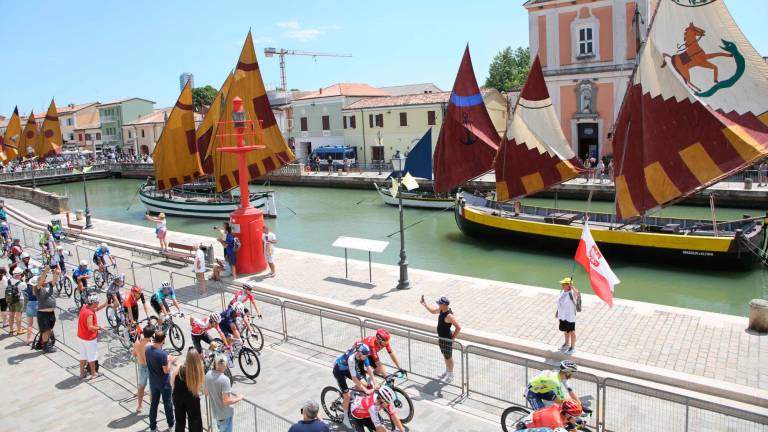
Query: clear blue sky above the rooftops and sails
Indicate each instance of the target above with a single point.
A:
(81, 51)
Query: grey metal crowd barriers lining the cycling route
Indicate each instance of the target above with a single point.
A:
(481, 373)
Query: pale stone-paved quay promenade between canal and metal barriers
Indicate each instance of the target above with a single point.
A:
(712, 348)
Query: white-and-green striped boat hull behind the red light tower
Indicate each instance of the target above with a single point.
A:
(200, 208)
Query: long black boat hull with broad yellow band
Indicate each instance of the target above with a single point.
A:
(736, 252)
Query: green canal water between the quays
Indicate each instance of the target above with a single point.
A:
(436, 243)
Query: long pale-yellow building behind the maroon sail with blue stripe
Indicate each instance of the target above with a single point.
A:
(380, 126)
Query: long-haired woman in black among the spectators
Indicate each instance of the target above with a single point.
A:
(187, 382)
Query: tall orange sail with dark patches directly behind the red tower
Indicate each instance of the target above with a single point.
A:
(248, 85)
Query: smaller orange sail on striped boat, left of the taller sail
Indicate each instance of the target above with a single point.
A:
(175, 156)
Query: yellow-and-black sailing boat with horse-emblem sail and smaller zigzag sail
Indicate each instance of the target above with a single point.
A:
(677, 133)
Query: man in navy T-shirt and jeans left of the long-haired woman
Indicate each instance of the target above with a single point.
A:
(159, 365)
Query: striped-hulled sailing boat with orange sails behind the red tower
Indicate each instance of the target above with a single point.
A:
(183, 156)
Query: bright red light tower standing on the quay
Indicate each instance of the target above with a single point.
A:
(247, 222)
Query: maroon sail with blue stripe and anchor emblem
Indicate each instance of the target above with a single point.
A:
(468, 140)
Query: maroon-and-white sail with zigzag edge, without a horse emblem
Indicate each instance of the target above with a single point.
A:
(534, 153)
